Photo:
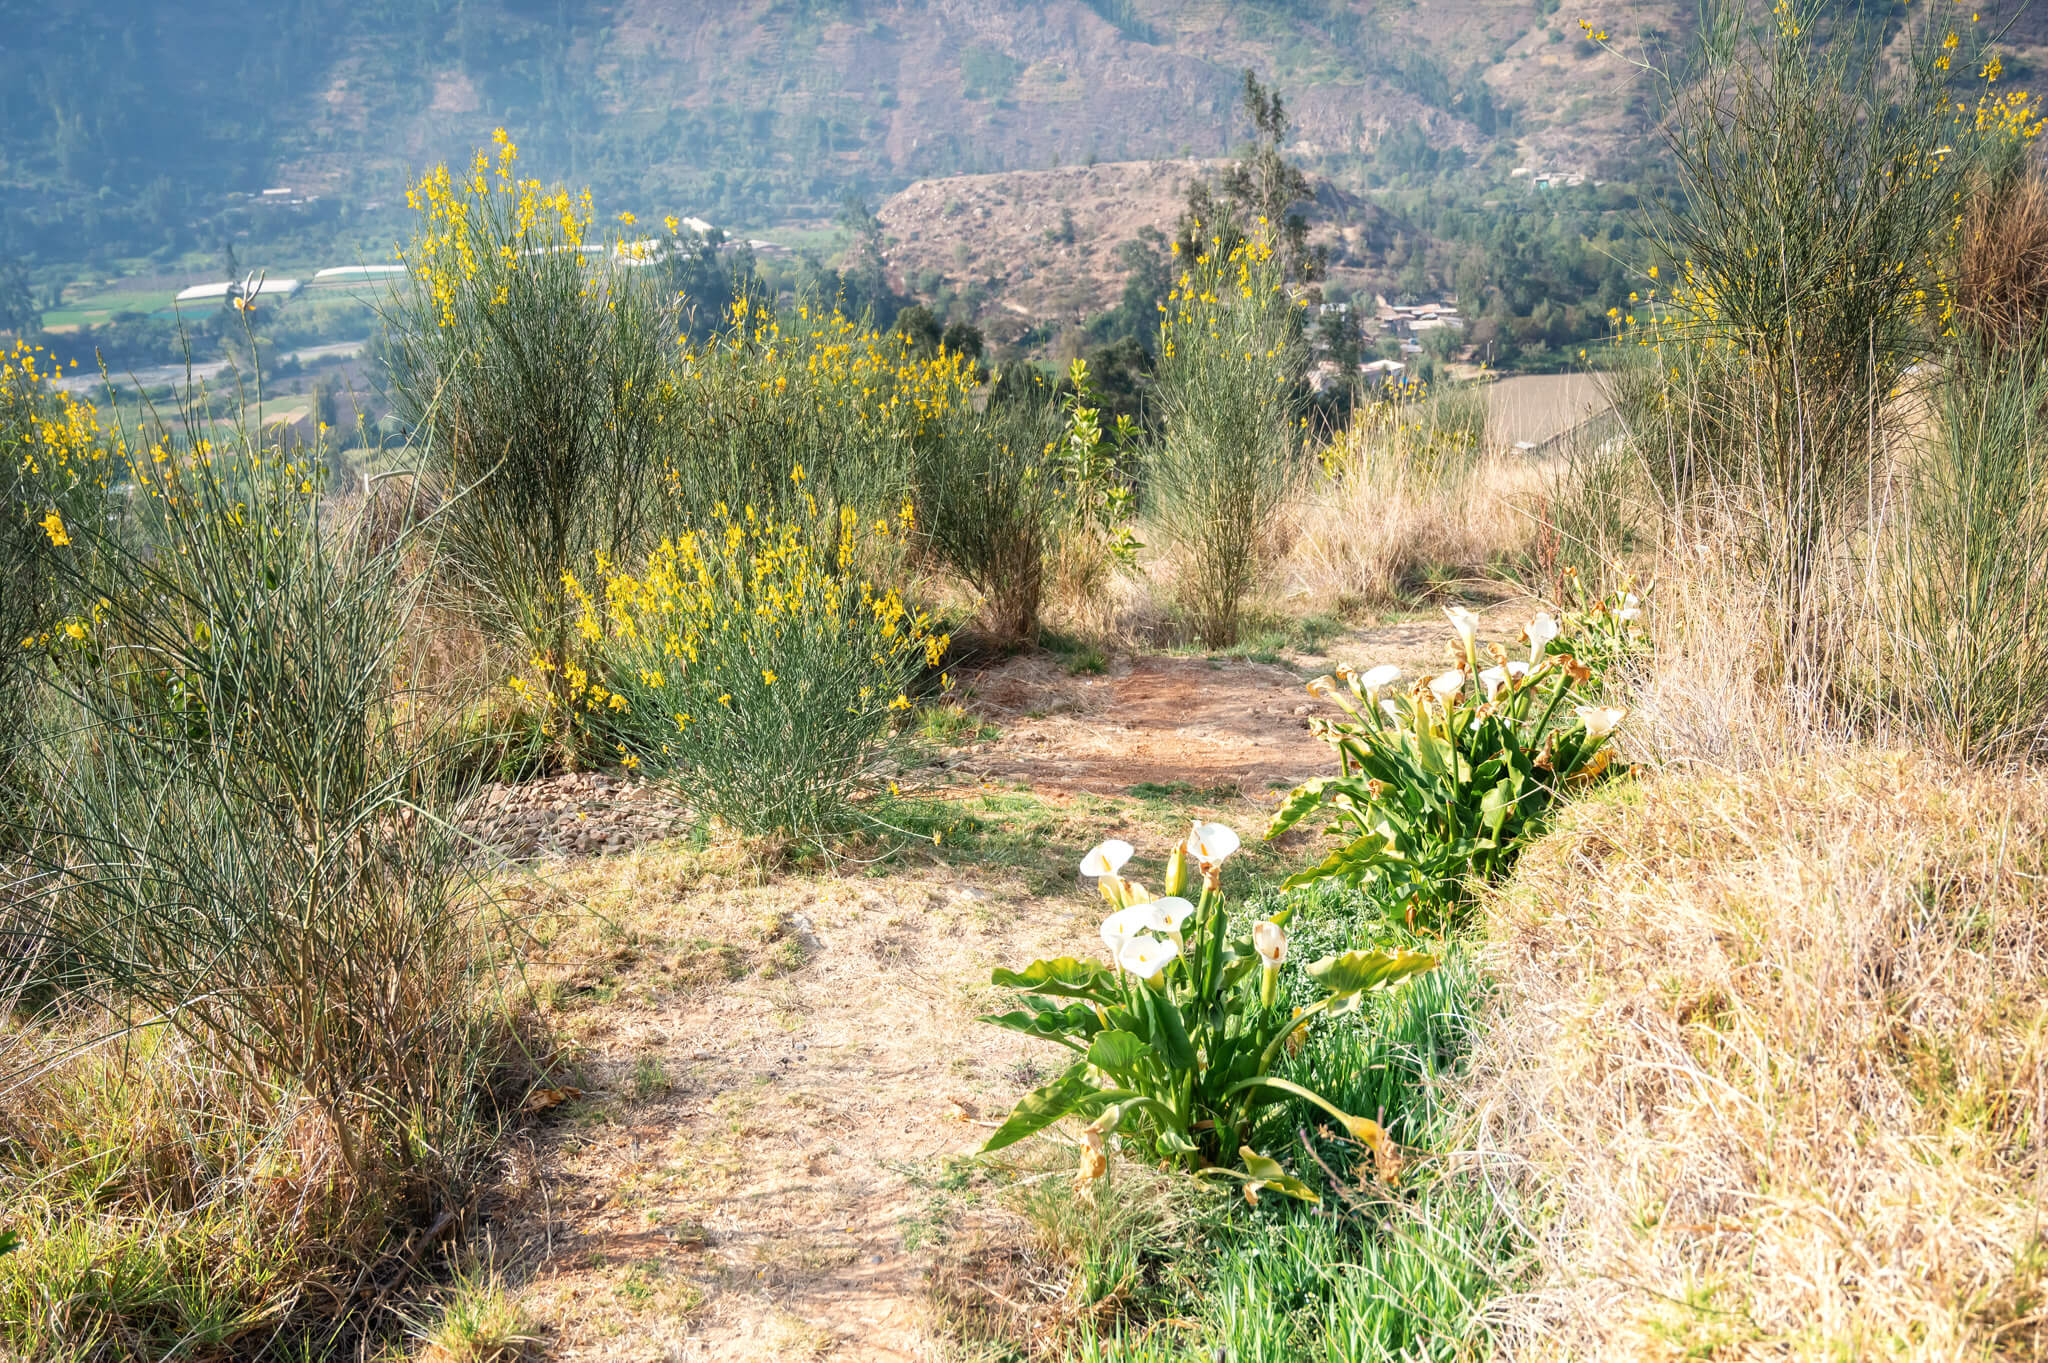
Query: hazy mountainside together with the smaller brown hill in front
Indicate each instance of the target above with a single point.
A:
(1013, 148)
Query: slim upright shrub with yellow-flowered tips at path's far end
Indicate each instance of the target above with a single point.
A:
(1230, 369)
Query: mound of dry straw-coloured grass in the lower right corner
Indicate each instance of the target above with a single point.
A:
(1775, 1055)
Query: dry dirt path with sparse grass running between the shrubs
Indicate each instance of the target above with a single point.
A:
(775, 1067)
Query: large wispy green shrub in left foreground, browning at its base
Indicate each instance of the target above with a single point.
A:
(243, 820)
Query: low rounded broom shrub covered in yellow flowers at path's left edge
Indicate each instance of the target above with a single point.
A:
(757, 670)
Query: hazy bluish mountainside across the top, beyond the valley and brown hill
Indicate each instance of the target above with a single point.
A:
(128, 120)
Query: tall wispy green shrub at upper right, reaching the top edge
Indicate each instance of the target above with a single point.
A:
(1793, 292)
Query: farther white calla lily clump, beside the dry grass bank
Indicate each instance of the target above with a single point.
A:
(1447, 781)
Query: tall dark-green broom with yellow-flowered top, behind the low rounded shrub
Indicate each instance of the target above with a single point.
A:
(531, 361)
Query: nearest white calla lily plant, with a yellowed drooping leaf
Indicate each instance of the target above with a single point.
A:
(1179, 1035)
